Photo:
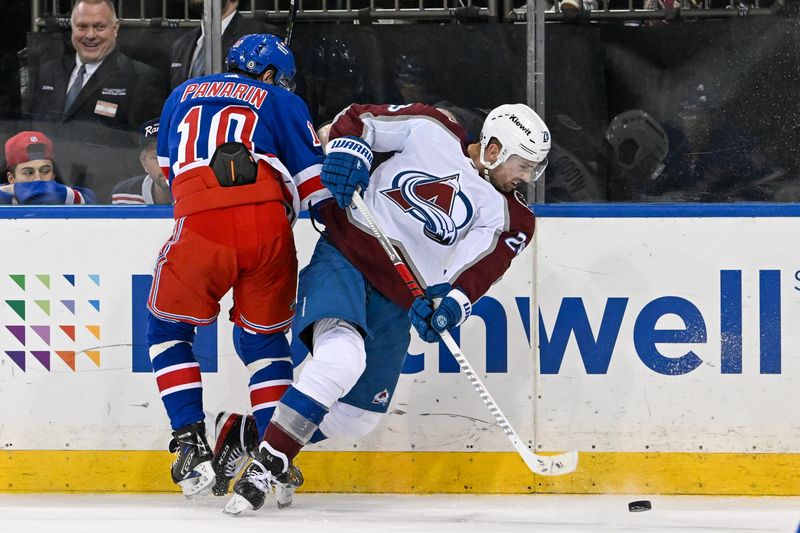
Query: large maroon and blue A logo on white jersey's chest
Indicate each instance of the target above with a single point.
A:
(435, 201)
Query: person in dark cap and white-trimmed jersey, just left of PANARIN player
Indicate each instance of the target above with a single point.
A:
(152, 186)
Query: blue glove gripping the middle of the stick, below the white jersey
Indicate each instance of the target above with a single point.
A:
(432, 315)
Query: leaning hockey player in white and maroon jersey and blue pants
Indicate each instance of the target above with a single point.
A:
(454, 213)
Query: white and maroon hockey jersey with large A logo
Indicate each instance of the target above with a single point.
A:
(448, 223)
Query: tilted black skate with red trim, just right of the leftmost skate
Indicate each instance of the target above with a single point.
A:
(237, 440)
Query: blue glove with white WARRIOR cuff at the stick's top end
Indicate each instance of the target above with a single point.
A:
(346, 167)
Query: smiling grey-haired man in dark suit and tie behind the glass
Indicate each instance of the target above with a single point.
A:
(93, 102)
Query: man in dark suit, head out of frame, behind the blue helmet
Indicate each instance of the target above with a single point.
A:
(188, 60)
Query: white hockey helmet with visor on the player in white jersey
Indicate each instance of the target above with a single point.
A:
(521, 132)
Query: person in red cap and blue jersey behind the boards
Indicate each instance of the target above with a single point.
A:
(31, 174)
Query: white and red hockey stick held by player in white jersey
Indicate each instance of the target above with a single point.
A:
(544, 465)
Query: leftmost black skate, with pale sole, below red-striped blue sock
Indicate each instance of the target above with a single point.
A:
(192, 469)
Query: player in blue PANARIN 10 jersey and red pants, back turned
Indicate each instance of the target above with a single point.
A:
(242, 159)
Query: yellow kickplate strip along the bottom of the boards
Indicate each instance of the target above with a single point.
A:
(425, 472)
